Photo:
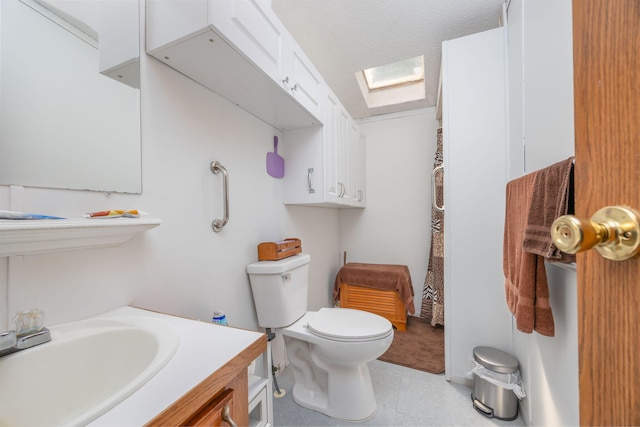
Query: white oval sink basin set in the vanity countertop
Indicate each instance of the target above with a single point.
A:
(86, 369)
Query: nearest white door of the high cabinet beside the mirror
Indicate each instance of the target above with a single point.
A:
(254, 29)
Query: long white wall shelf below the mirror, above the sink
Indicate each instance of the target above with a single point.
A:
(25, 237)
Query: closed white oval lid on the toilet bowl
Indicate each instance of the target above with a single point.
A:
(345, 324)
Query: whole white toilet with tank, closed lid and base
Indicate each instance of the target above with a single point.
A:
(328, 349)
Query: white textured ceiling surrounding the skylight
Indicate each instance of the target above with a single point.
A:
(341, 37)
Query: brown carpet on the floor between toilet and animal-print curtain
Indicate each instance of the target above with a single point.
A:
(420, 347)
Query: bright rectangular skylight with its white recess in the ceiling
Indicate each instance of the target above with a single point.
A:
(392, 84)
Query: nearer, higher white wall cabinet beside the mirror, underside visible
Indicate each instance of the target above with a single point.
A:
(240, 50)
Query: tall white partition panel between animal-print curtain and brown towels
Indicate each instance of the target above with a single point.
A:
(474, 126)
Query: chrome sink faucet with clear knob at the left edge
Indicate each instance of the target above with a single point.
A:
(29, 333)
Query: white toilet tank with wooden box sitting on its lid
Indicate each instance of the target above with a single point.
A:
(280, 289)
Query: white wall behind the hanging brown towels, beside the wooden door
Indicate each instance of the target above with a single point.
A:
(541, 133)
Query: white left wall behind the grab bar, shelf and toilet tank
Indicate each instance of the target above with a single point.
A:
(181, 267)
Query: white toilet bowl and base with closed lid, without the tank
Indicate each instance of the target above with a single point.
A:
(330, 368)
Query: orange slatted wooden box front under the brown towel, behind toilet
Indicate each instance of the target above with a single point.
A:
(381, 302)
